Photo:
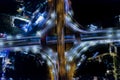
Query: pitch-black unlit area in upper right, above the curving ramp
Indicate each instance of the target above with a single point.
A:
(101, 12)
